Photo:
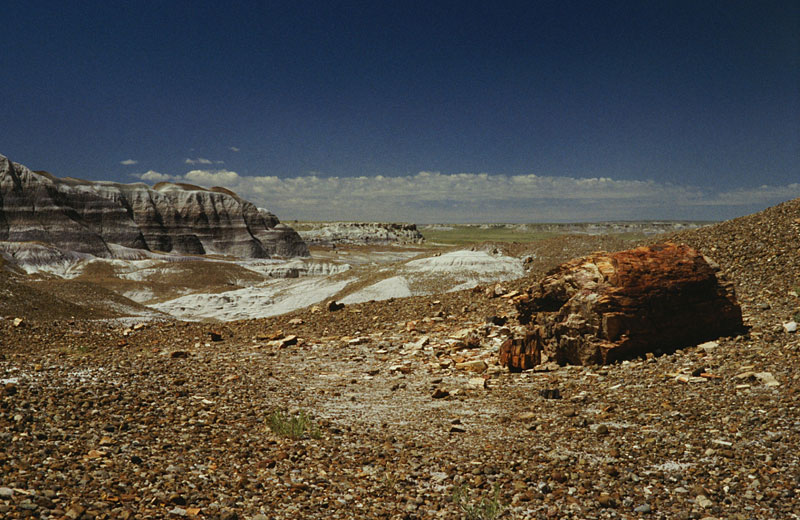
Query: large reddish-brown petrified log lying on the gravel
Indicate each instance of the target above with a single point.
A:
(607, 307)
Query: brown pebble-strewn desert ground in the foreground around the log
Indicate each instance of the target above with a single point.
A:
(399, 407)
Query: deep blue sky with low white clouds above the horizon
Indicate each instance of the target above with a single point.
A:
(416, 111)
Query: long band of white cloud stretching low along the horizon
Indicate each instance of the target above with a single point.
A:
(471, 197)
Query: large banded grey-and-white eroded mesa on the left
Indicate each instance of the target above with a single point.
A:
(105, 219)
